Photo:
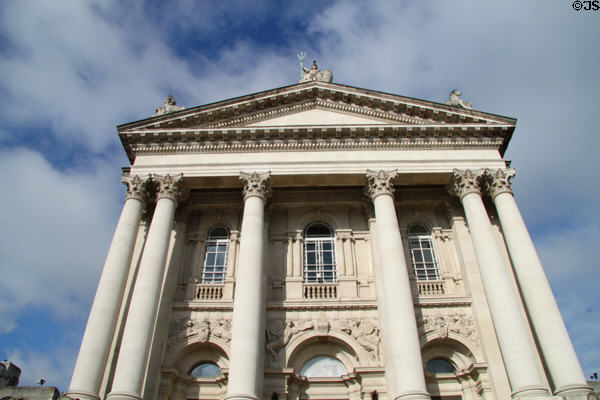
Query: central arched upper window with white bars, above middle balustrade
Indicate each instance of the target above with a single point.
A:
(319, 254)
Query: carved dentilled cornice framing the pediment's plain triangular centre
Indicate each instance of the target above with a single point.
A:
(401, 121)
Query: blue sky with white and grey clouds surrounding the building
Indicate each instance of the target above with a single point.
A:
(70, 71)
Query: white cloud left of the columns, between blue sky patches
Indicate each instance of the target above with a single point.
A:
(56, 228)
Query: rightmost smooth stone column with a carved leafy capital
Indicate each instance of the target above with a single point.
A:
(550, 330)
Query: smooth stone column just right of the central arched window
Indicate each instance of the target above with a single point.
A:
(404, 347)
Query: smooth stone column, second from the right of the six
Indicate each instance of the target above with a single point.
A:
(519, 359)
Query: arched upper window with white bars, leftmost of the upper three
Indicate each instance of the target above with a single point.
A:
(215, 255)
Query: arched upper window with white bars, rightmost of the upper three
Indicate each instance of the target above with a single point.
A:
(422, 253)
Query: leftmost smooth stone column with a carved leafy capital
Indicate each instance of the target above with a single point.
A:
(99, 332)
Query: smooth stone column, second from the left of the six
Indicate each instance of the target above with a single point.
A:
(139, 327)
